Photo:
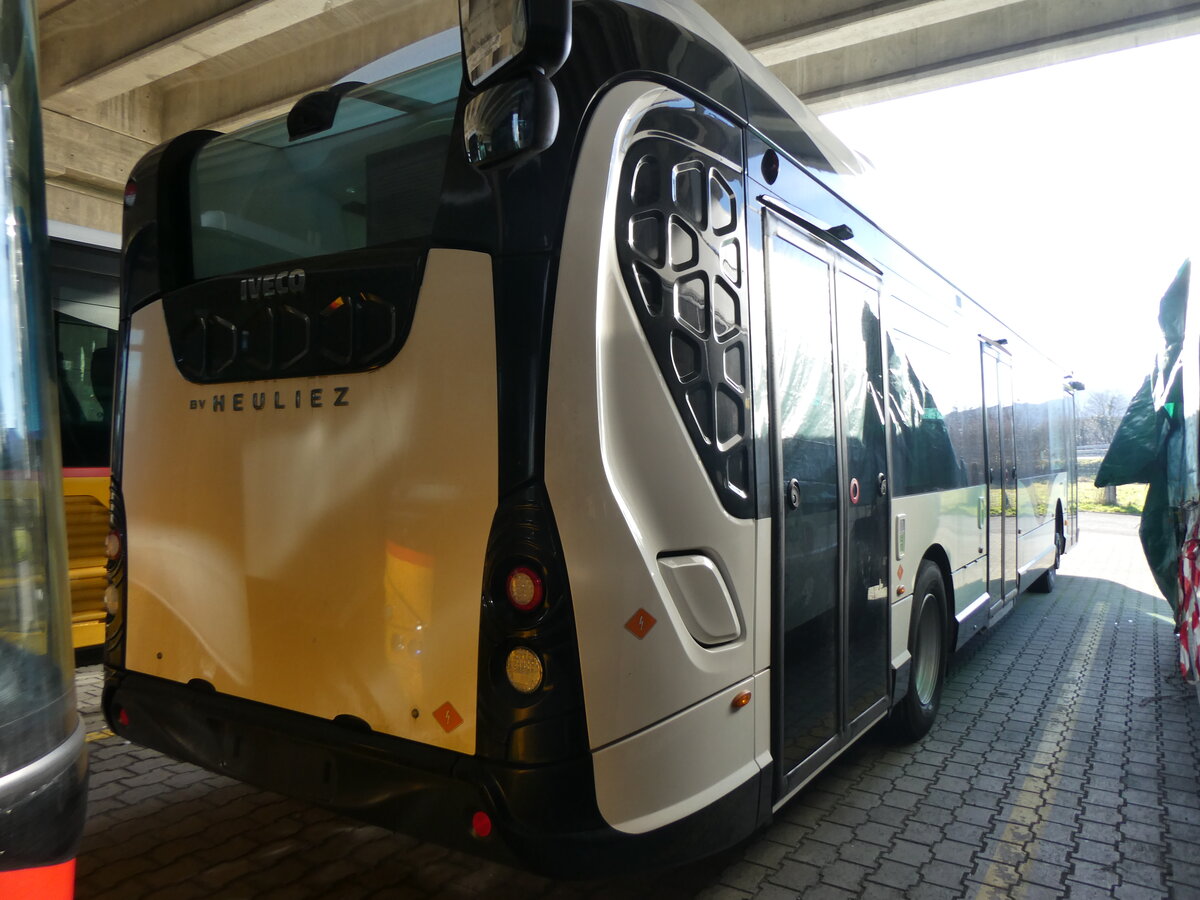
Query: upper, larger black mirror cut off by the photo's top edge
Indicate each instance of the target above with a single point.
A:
(502, 38)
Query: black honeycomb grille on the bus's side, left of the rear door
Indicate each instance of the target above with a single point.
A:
(682, 247)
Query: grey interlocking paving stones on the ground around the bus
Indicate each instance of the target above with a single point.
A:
(1066, 763)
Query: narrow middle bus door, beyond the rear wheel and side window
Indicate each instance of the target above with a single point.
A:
(998, 387)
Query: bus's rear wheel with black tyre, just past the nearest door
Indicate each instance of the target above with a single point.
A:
(915, 715)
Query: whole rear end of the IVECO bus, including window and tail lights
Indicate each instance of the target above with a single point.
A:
(326, 578)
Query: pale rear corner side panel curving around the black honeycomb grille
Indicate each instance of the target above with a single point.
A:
(628, 488)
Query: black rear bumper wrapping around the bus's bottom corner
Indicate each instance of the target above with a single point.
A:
(545, 818)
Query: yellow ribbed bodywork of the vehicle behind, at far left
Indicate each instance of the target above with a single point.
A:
(86, 501)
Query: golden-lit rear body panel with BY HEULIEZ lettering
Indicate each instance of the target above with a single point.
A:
(326, 560)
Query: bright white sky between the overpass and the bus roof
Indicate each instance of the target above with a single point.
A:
(1064, 200)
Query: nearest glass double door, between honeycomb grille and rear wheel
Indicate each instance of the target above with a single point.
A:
(831, 509)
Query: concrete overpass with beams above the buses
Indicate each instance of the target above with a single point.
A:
(121, 76)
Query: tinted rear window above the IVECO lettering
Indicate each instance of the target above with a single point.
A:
(374, 178)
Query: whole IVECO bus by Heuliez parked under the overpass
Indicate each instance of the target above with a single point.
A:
(530, 448)
